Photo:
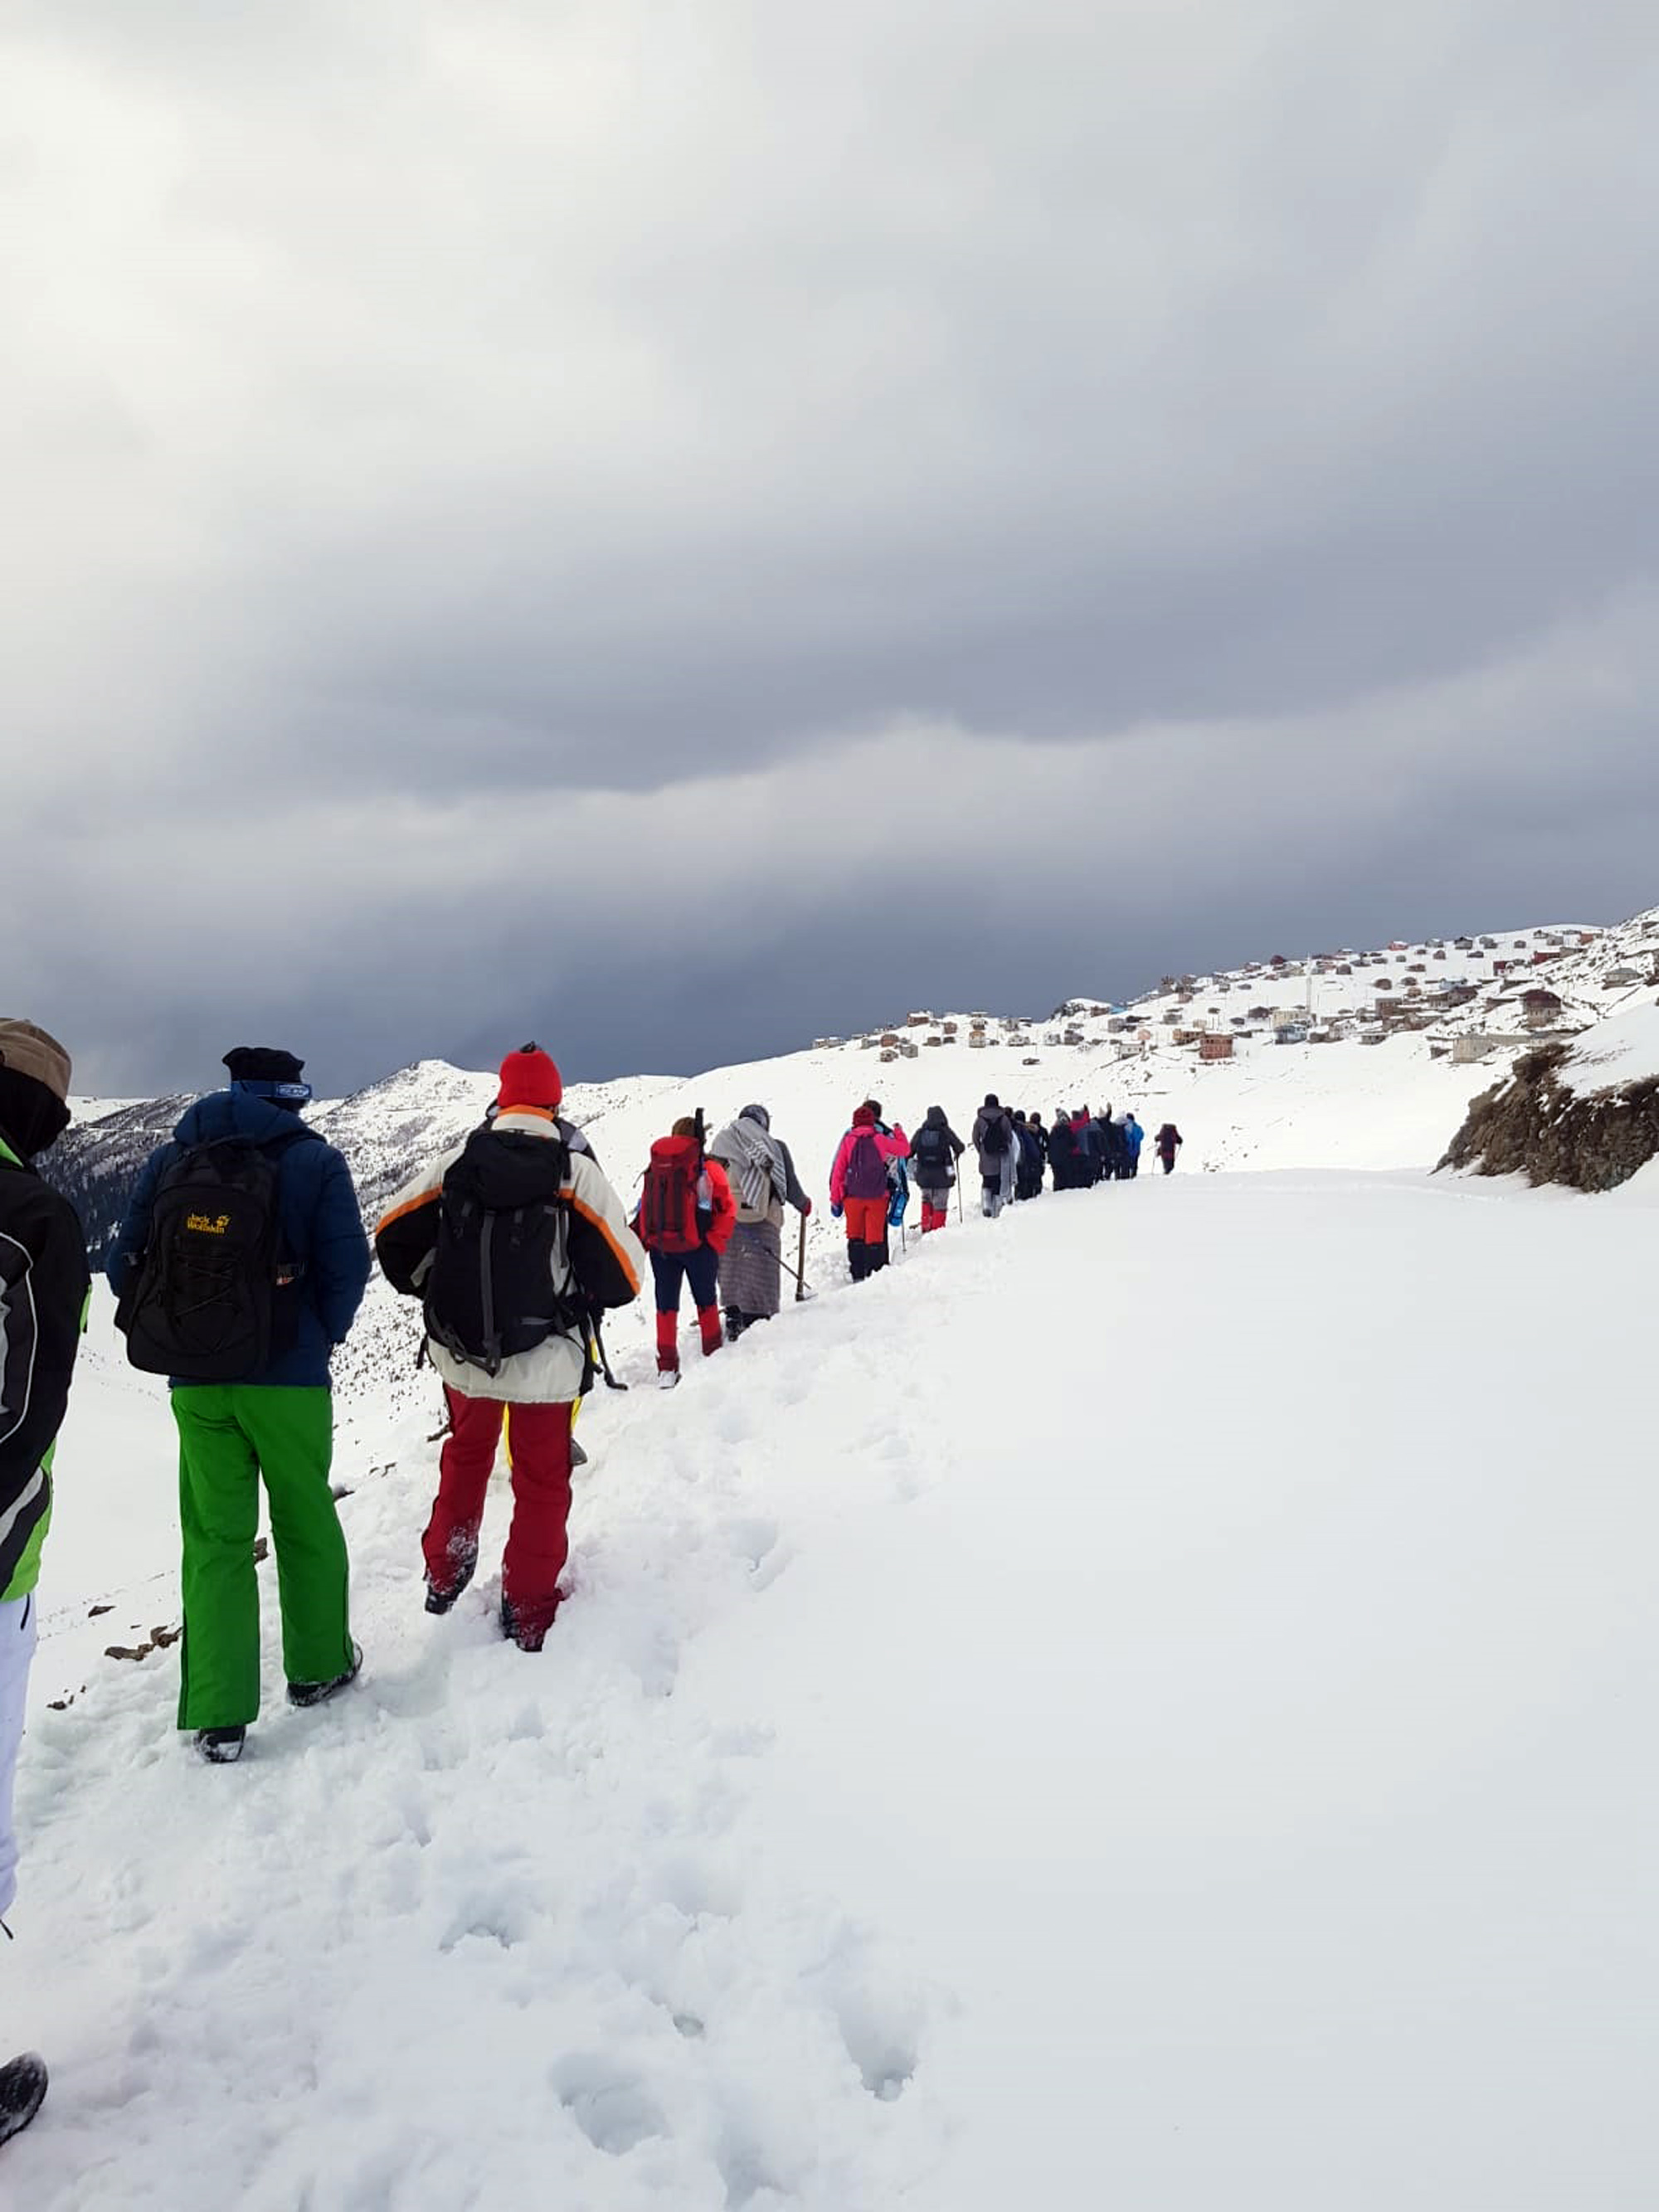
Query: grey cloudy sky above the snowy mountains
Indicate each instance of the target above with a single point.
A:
(678, 525)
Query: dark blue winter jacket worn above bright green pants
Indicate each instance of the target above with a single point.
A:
(320, 1222)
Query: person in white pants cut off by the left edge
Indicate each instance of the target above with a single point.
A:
(43, 1311)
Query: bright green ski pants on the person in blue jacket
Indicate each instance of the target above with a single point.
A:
(231, 1434)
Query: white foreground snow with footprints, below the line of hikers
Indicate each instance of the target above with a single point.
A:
(1147, 1702)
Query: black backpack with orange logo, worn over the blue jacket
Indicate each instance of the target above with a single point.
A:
(202, 1302)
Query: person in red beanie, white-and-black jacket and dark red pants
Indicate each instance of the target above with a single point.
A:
(512, 1322)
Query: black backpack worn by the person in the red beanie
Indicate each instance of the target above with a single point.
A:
(501, 1275)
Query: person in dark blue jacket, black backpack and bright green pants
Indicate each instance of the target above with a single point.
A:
(238, 1273)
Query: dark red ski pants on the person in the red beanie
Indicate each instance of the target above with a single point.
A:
(536, 1543)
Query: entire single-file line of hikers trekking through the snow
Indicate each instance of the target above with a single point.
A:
(240, 1269)
